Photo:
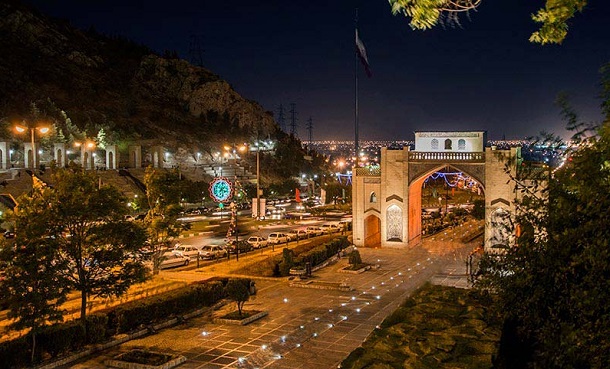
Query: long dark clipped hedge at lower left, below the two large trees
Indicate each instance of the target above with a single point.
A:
(71, 336)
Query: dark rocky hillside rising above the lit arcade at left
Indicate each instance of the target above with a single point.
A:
(115, 84)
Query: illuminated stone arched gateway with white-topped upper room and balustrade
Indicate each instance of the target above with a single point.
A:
(387, 199)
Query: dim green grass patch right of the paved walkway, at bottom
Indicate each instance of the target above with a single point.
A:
(437, 327)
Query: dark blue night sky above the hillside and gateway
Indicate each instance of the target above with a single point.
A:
(484, 75)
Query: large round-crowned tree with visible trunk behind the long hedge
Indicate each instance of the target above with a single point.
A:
(95, 242)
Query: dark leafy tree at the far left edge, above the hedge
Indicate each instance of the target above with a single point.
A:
(30, 282)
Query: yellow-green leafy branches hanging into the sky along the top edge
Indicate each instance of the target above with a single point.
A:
(554, 17)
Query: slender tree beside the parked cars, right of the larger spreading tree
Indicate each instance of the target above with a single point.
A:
(163, 193)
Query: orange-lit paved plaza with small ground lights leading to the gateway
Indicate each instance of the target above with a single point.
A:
(305, 328)
